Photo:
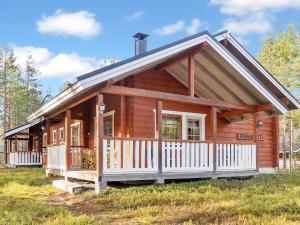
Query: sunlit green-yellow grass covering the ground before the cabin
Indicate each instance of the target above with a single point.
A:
(26, 197)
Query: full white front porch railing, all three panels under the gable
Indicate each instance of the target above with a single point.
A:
(136, 155)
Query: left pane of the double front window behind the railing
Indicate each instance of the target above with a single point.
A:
(171, 126)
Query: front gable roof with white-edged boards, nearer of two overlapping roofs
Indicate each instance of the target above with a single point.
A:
(150, 59)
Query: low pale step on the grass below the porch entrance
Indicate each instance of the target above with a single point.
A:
(71, 187)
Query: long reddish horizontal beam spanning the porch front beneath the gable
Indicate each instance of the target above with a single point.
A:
(118, 90)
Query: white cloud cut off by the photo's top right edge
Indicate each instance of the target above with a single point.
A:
(242, 7)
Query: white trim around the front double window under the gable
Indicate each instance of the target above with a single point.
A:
(185, 116)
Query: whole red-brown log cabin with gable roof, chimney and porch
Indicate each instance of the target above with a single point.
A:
(200, 107)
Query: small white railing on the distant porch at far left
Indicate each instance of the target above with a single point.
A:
(25, 158)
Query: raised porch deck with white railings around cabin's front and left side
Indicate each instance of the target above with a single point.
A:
(132, 159)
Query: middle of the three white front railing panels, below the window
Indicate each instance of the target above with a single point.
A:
(185, 156)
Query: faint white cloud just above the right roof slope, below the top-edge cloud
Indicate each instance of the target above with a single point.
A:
(255, 23)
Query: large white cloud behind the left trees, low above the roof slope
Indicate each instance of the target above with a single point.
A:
(65, 65)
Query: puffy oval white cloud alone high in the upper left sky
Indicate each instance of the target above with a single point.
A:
(79, 24)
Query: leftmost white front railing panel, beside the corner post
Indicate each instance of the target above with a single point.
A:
(123, 155)
